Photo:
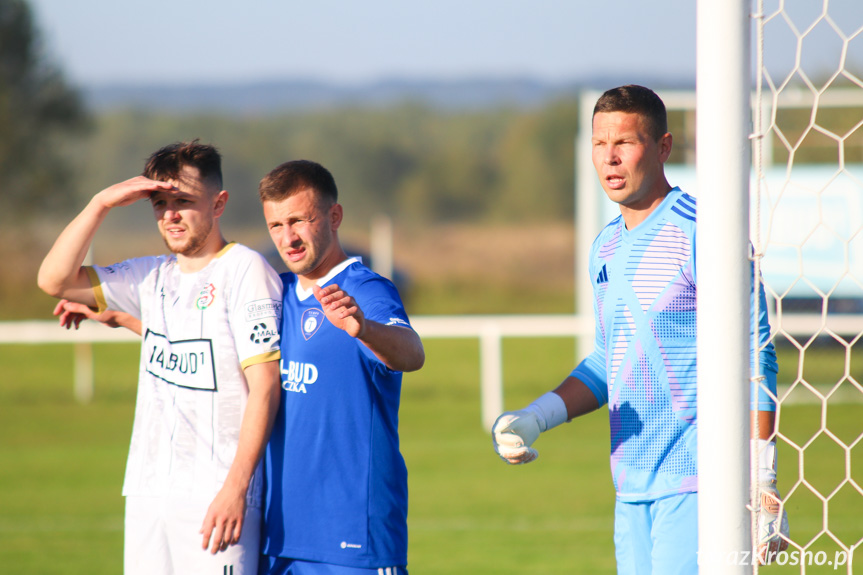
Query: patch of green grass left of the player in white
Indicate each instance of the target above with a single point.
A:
(61, 464)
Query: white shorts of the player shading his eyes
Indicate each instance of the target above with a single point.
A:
(163, 535)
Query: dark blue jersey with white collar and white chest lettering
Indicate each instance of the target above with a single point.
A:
(336, 480)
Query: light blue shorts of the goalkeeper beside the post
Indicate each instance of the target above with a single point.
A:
(657, 537)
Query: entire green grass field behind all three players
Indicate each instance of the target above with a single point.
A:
(61, 468)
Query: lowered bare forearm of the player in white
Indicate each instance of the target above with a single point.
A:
(261, 408)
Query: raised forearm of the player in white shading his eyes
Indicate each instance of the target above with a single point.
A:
(60, 274)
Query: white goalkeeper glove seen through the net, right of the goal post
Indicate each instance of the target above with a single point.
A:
(772, 527)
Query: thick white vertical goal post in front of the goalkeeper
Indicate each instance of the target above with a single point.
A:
(722, 179)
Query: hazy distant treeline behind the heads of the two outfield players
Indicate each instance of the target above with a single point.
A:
(415, 163)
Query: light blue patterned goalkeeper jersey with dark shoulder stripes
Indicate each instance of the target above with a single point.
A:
(644, 361)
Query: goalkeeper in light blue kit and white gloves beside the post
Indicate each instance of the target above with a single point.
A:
(644, 362)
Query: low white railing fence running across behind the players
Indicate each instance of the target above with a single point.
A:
(488, 329)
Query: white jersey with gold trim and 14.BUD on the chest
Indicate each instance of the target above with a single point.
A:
(199, 331)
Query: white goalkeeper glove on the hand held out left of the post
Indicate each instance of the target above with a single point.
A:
(514, 432)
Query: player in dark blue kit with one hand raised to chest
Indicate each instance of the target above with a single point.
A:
(336, 496)
